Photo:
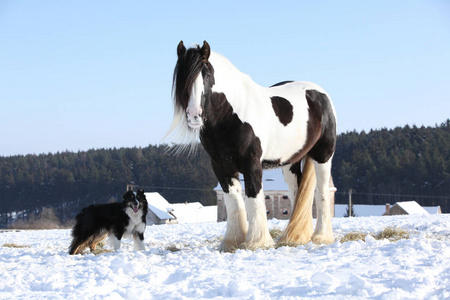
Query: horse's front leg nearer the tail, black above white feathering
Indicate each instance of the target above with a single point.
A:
(258, 235)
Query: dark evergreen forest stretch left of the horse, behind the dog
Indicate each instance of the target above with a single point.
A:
(69, 181)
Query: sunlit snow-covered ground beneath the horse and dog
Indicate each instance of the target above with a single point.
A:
(414, 268)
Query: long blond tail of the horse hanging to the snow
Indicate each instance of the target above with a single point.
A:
(300, 229)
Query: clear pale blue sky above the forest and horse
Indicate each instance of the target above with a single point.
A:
(79, 75)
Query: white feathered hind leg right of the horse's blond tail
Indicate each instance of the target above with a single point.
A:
(323, 234)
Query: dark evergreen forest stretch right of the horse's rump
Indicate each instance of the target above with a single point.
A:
(393, 165)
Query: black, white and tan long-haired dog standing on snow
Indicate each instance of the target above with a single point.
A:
(96, 222)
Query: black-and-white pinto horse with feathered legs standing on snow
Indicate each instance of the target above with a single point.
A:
(246, 128)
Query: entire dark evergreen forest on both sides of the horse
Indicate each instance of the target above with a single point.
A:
(381, 166)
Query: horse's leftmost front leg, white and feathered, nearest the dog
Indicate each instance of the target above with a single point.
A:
(236, 217)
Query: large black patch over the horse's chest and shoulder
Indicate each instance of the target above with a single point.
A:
(232, 145)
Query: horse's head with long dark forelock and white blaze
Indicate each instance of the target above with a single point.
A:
(193, 79)
